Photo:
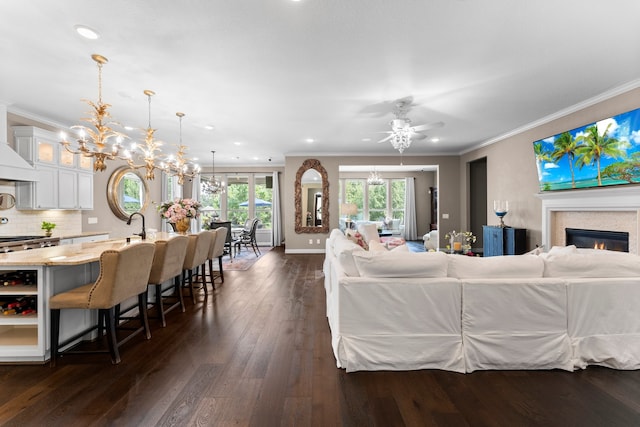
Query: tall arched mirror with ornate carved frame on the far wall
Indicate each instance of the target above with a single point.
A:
(312, 198)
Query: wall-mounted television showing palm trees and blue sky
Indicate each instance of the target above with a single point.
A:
(599, 154)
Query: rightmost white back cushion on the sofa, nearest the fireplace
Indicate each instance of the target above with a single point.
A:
(599, 264)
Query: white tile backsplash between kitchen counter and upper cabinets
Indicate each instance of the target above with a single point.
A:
(22, 223)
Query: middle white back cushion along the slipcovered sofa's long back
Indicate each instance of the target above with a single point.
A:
(510, 266)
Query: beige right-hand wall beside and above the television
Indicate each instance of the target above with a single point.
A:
(511, 166)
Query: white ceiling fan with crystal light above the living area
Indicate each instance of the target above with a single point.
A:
(402, 133)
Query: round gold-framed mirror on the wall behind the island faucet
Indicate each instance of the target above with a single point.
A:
(127, 192)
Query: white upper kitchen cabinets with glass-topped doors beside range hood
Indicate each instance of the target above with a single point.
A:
(66, 179)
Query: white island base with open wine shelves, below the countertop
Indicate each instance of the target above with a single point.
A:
(24, 337)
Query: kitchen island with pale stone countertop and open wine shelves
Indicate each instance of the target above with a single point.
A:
(29, 278)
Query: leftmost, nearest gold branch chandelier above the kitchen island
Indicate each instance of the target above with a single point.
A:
(100, 142)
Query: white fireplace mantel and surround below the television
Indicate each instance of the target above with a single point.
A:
(612, 208)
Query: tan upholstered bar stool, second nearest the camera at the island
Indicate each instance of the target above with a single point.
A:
(167, 265)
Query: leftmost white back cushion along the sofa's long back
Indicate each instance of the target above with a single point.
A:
(401, 264)
